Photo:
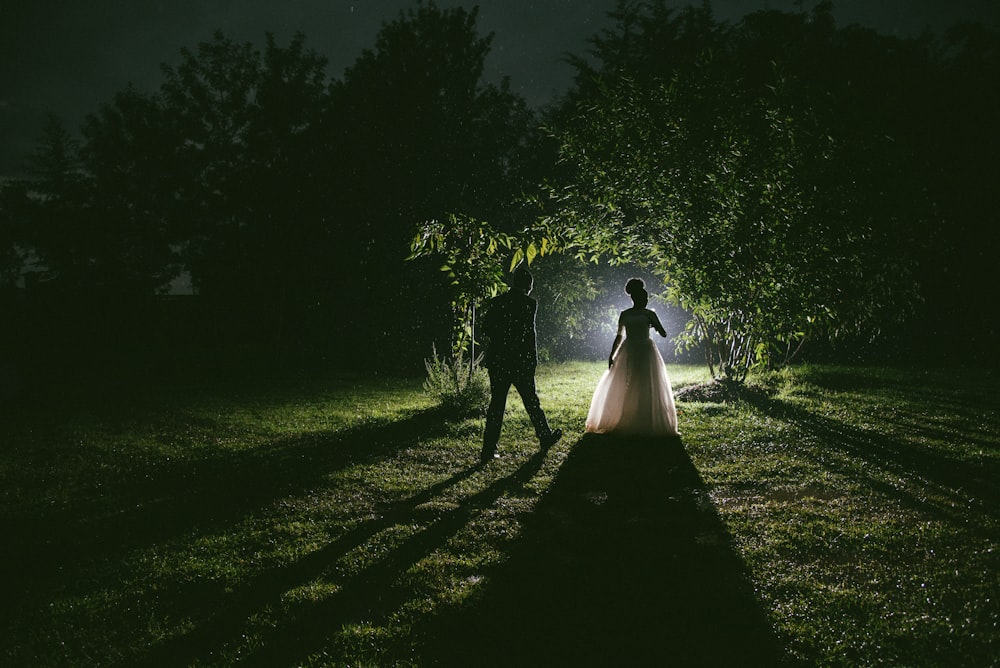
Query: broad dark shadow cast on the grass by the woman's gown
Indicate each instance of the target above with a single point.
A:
(624, 563)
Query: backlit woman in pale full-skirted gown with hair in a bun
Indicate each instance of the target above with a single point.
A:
(634, 396)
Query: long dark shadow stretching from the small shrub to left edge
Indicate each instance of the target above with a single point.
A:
(193, 497)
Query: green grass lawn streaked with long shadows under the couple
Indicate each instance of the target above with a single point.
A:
(837, 517)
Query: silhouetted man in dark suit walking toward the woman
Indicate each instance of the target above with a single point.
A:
(511, 358)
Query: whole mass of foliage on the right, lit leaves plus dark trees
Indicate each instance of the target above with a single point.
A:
(782, 176)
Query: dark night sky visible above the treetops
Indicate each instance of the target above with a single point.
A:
(69, 56)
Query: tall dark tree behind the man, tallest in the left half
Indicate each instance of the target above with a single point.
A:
(423, 139)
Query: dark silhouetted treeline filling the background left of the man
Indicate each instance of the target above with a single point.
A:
(289, 198)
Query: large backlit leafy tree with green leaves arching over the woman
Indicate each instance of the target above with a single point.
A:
(735, 188)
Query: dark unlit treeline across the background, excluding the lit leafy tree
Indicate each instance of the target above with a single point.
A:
(290, 198)
